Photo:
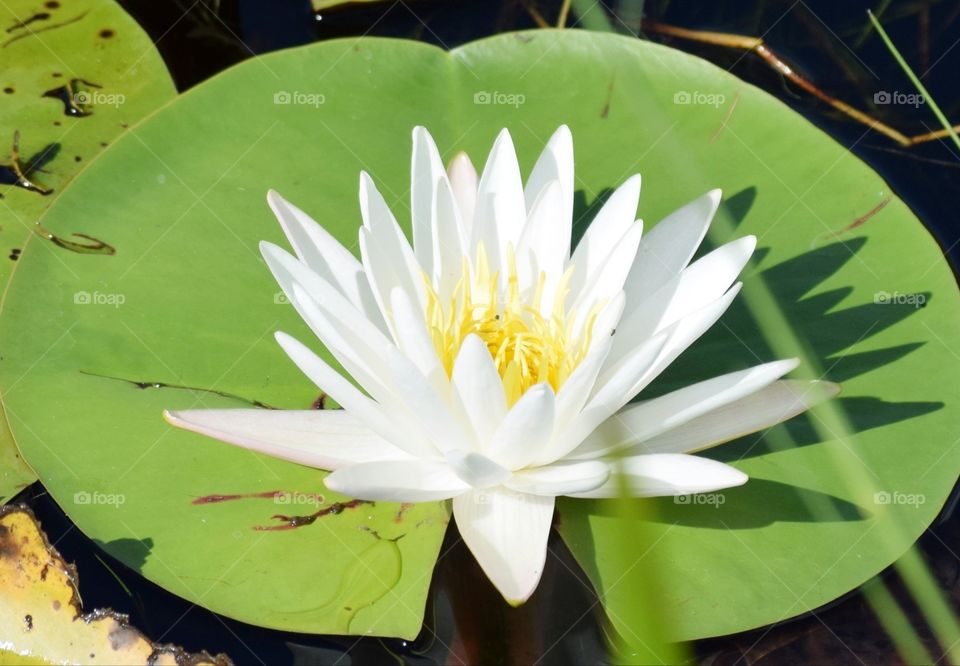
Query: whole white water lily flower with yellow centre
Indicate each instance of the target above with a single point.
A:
(498, 364)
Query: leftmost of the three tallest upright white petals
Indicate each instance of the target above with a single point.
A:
(426, 170)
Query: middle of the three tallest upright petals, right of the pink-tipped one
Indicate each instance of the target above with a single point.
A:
(501, 212)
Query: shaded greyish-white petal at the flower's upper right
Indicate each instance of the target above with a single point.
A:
(668, 247)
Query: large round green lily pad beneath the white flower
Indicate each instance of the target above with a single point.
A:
(188, 302)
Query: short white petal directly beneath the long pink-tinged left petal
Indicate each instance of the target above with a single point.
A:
(397, 481)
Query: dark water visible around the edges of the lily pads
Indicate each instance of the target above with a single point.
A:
(829, 44)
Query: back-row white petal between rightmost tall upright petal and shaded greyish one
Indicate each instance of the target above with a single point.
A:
(610, 224)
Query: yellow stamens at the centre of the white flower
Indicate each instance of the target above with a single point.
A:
(527, 347)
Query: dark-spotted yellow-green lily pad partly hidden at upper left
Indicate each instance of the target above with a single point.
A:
(75, 74)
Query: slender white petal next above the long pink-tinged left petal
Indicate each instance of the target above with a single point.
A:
(350, 398)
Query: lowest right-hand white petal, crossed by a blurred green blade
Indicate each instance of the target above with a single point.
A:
(662, 474)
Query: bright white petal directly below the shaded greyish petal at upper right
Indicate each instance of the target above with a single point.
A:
(696, 286)
